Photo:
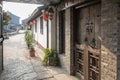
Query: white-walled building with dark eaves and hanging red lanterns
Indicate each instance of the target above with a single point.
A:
(43, 32)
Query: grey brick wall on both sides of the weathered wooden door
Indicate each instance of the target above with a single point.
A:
(110, 40)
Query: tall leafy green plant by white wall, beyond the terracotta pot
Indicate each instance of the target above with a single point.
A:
(28, 38)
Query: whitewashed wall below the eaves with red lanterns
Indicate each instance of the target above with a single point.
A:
(42, 38)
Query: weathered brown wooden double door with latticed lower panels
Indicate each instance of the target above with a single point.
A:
(87, 53)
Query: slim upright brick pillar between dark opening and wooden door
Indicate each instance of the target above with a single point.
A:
(67, 39)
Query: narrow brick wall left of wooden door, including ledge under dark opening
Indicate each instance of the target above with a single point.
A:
(65, 58)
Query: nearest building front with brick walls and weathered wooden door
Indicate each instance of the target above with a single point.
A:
(88, 38)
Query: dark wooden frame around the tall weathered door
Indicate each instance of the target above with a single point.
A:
(73, 34)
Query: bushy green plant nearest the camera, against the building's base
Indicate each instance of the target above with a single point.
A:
(51, 58)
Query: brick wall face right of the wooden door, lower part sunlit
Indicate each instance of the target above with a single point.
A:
(109, 40)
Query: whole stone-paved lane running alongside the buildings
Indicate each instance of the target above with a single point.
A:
(19, 66)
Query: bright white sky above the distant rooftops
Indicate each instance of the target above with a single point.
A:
(19, 9)
